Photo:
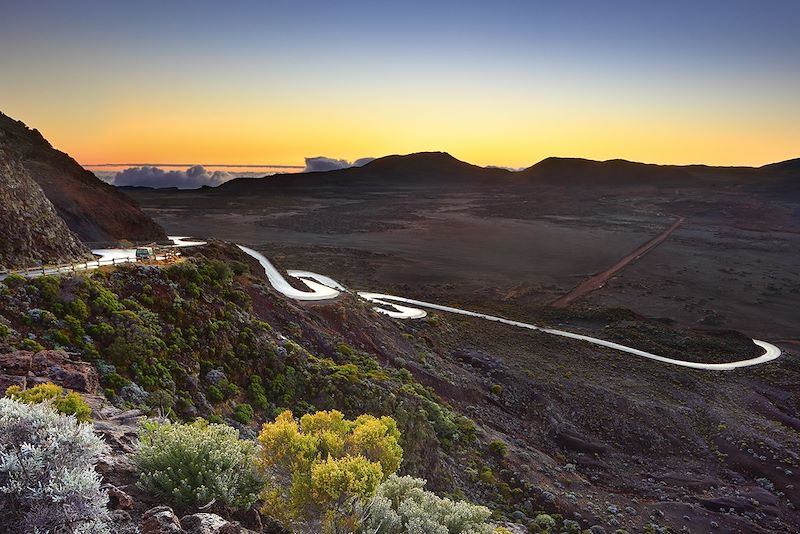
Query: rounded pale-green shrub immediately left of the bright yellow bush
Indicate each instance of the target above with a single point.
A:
(191, 465)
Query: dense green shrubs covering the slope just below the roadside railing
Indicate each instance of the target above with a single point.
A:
(184, 341)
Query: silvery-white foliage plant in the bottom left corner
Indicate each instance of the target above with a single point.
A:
(48, 483)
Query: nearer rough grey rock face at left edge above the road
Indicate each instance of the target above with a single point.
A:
(30, 229)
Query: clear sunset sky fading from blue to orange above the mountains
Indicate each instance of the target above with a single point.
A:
(494, 83)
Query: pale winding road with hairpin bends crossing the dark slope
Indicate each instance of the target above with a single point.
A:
(321, 287)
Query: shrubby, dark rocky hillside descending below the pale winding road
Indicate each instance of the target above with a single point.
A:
(523, 423)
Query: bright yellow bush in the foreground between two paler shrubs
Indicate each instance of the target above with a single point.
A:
(327, 458)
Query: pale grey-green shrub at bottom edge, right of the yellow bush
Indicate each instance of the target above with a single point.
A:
(401, 506)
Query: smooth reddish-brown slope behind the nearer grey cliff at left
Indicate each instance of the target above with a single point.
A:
(94, 210)
